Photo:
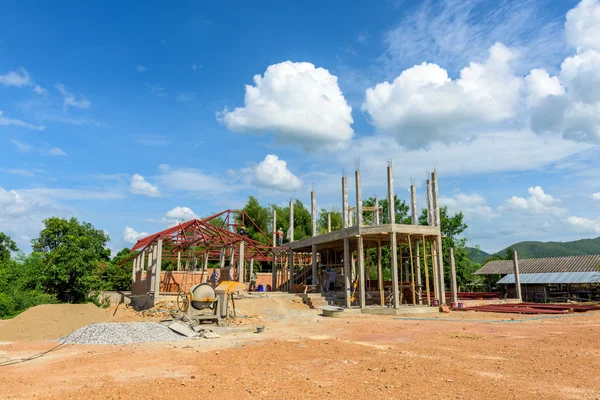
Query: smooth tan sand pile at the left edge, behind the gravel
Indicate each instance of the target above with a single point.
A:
(50, 321)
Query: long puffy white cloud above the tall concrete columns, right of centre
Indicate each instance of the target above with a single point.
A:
(423, 105)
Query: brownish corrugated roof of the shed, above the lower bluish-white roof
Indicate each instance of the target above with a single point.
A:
(542, 265)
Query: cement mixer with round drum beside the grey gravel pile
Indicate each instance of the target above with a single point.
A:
(205, 303)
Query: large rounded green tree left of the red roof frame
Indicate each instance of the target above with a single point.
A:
(71, 252)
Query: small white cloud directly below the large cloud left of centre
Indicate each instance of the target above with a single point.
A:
(272, 173)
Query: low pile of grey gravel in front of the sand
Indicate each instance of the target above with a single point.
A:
(123, 333)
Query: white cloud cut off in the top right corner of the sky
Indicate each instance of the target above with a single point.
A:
(583, 25)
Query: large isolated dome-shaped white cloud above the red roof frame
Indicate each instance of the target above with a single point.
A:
(299, 103)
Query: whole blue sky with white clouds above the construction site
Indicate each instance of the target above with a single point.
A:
(133, 117)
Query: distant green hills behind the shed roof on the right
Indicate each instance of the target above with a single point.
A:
(543, 249)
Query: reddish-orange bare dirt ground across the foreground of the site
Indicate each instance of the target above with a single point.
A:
(302, 355)
